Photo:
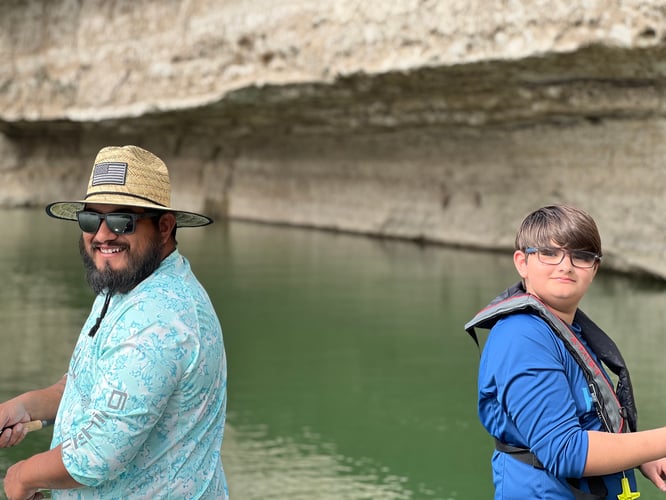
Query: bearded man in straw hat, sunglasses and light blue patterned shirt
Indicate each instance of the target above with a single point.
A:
(140, 412)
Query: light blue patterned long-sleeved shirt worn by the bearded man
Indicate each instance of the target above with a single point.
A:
(143, 412)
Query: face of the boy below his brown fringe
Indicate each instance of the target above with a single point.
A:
(560, 286)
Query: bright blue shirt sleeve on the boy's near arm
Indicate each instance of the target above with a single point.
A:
(524, 372)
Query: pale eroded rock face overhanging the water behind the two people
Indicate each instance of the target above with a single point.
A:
(440, 121)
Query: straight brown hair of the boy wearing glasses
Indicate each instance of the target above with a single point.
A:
(564, 225)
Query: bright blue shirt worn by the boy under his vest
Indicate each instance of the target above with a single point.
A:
(533, 394)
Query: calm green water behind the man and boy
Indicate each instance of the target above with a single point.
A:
(350, 375)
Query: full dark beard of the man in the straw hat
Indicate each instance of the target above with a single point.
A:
(139, 267)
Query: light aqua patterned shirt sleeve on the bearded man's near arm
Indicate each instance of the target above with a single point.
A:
(138, 369)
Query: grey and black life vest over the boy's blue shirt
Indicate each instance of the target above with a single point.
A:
(616, 408)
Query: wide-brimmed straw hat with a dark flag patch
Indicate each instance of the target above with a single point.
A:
(129, 176)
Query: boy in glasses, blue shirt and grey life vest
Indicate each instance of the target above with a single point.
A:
(561, 430)
